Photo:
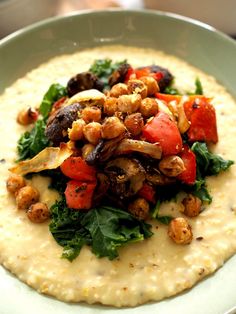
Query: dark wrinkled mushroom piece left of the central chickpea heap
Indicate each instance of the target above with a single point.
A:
(58, 124)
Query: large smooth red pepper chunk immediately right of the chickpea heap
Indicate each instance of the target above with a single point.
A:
(162, 129)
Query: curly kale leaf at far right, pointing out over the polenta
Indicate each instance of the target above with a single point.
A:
(209, 164)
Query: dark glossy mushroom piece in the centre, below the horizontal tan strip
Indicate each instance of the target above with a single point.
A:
(126, 176)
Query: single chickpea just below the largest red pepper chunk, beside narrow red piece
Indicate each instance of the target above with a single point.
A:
(171, 166)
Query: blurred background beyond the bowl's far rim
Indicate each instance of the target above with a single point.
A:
(15, 14)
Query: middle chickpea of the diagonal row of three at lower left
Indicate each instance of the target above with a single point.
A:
(26, 196)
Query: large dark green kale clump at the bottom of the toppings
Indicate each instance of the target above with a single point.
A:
(104, 228)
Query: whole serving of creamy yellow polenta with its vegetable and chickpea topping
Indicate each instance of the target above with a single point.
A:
(121, 182)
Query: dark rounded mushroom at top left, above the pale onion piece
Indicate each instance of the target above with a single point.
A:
(83, 81)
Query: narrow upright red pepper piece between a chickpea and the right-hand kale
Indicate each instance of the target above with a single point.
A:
(188, 176)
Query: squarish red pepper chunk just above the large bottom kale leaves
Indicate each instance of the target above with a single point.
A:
(79, 194)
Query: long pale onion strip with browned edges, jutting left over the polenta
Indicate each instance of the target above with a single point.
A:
(49, 158)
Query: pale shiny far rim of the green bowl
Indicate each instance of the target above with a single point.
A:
(55, 19)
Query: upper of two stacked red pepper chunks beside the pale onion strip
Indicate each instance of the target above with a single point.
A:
(76, 168)
